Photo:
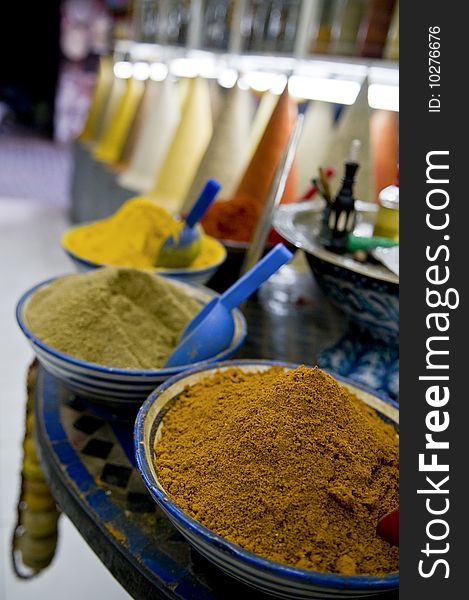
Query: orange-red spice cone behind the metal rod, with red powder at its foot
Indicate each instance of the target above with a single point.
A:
(236, 218)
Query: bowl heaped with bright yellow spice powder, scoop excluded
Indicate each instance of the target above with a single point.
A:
(132, 237)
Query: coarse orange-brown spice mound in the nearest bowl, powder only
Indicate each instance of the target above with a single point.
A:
(288, 465)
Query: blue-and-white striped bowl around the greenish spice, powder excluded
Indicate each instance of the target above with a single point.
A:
(110, 386)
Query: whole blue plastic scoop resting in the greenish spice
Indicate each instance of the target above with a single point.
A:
(212, 329)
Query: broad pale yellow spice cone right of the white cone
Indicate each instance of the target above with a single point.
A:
(186, 149)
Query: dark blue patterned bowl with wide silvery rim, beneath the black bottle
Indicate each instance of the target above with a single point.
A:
(367, 293)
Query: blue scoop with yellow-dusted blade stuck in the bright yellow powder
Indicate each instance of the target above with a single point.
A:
(180, 252)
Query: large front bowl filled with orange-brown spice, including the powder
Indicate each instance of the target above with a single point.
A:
(277, 474)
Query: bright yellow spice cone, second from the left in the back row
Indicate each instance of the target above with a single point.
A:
(110, 146)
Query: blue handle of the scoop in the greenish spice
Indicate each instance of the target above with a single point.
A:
(250, 281)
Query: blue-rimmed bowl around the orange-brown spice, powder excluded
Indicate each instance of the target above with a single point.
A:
(263, 574)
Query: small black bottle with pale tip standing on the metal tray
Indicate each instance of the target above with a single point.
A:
(339, 216)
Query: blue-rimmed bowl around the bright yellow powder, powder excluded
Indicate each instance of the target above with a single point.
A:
(200, 275)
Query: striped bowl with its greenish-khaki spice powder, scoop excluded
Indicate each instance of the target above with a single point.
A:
(107, 334)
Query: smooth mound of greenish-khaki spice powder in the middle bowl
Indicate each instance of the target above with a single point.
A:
(117, 317)
